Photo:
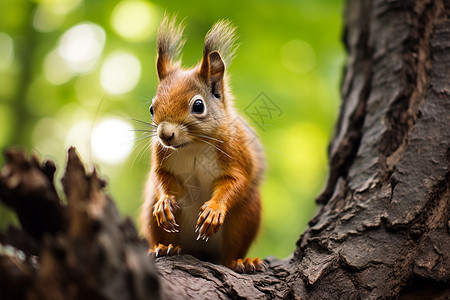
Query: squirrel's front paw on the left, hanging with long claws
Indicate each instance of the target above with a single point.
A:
(164, 210)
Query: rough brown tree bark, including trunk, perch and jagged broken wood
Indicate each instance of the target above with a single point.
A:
(383, 223)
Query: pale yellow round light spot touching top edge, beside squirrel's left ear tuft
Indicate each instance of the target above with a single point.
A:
(135, 20)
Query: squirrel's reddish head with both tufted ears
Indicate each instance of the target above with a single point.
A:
(191, 104)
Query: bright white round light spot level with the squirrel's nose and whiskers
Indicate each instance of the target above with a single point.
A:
(112, 141)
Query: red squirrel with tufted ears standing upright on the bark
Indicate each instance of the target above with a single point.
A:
(202, 195)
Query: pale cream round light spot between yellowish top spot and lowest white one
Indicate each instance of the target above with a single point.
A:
(120, 73)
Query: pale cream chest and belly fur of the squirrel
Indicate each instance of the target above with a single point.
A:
(197, 167)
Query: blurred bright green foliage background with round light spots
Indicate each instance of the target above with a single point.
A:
(58, 80)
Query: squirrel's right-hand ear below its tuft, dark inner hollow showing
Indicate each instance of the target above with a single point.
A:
(212, 71)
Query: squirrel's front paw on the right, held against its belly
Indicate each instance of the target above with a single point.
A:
(210, 219)
